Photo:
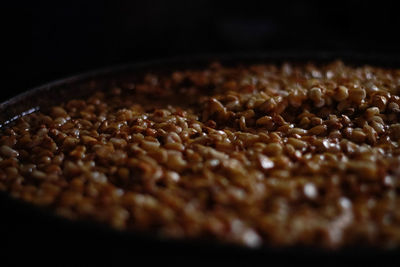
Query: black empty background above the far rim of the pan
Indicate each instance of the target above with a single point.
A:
(52, 39)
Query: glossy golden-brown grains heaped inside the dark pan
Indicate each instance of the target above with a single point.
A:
(276, 155)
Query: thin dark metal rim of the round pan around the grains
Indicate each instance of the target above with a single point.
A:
(20, 105)
